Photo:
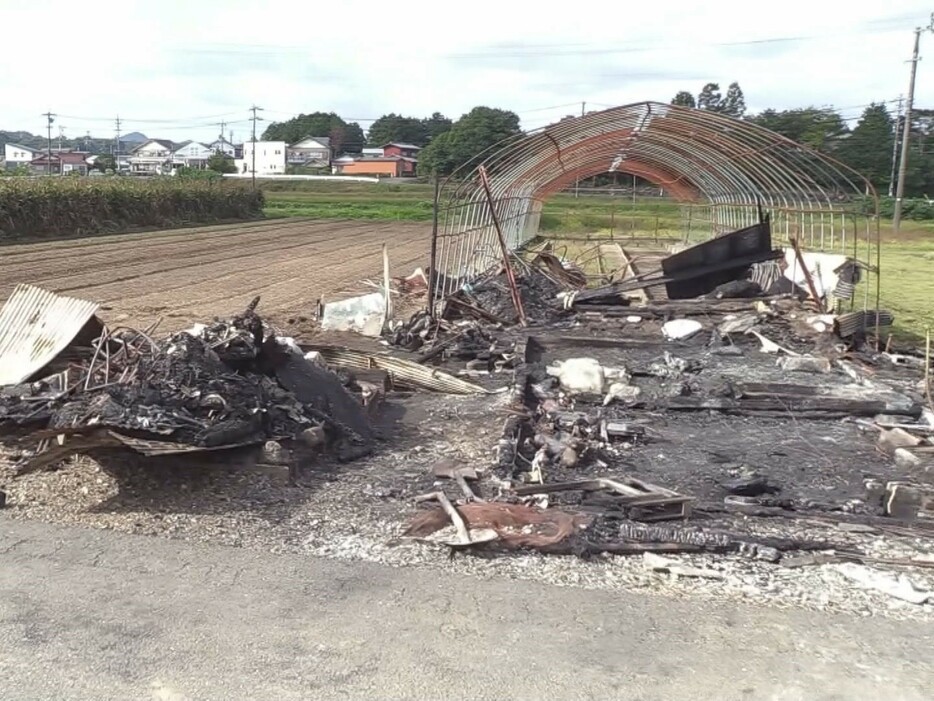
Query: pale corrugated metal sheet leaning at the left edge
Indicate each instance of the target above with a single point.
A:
(35, 326)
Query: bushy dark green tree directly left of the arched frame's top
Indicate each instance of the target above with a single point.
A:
(470, 136)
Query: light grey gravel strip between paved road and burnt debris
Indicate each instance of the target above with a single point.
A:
(358, 511)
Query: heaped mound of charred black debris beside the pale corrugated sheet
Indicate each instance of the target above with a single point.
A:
(227, 384)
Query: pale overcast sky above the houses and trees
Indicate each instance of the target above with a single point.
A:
(175, 68)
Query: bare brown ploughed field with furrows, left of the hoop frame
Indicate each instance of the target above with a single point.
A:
(186, 275)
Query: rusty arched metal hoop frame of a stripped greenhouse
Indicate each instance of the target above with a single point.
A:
(721, 170)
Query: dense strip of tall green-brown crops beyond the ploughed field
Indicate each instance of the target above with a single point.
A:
(55, 207)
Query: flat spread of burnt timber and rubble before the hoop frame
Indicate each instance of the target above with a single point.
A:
(613, 377)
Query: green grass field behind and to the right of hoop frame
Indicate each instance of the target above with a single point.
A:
(907, 263)
